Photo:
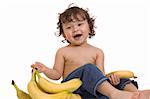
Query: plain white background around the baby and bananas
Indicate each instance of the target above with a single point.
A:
(27, 34)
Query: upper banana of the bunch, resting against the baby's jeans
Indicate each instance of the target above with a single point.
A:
(51, 87)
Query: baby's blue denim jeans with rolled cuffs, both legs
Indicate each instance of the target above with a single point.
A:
(91, 77)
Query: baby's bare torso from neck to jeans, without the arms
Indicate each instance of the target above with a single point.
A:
(76, 57)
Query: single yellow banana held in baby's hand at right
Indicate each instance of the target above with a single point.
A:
(122, 74)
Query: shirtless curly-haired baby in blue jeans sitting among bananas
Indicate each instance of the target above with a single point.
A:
(81, 60)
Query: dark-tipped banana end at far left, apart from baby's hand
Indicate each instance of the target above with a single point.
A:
(20, 94)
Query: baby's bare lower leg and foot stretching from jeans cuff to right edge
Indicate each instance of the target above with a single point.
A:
(107, 89)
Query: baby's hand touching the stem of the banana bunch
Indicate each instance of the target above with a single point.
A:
(39, 66)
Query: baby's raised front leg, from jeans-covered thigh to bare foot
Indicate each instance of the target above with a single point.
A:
(94, 80)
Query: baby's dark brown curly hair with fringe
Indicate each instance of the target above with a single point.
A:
(73, 12)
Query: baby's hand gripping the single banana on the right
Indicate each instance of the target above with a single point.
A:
(114, 79)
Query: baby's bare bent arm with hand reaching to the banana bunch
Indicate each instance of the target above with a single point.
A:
(56, 72)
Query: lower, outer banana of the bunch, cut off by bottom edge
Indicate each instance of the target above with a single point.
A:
(36, 93)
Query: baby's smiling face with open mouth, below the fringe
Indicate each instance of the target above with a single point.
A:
(76, 31)
